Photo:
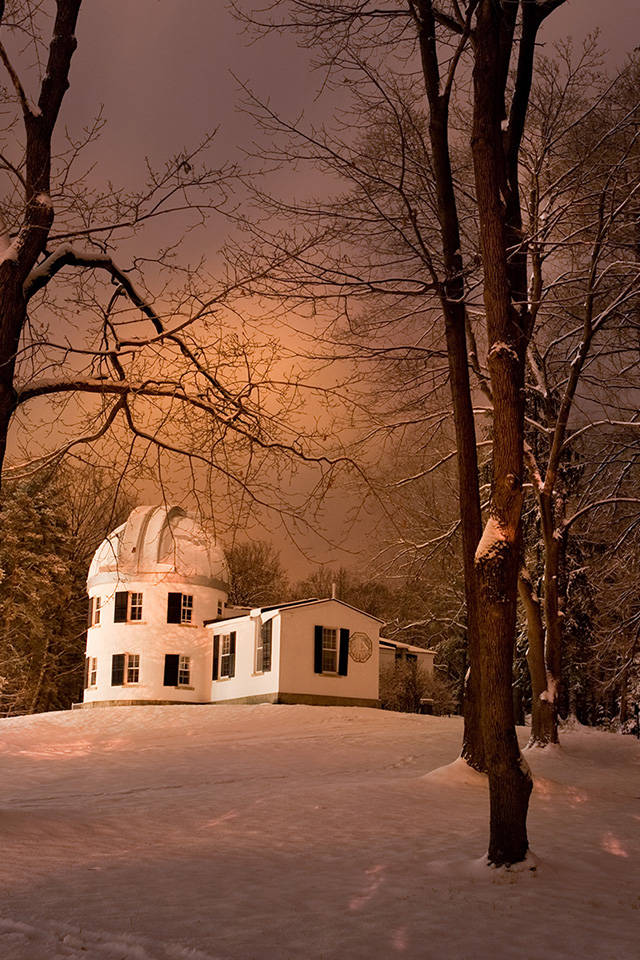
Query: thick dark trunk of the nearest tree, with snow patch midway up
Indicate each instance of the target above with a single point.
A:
(498, 554)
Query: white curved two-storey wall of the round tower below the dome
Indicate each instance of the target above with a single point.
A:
(152, 638)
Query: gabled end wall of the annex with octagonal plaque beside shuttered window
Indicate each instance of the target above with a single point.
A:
(297, 674)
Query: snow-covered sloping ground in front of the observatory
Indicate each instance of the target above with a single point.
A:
(167, 833)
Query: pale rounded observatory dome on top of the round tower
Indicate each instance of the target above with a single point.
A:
(159, 541)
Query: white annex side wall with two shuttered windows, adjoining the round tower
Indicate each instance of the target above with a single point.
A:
(246, 683)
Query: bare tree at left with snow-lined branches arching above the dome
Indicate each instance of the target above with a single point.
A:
(118, 338)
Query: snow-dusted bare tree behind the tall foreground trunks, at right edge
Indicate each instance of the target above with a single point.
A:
(581, 163)
